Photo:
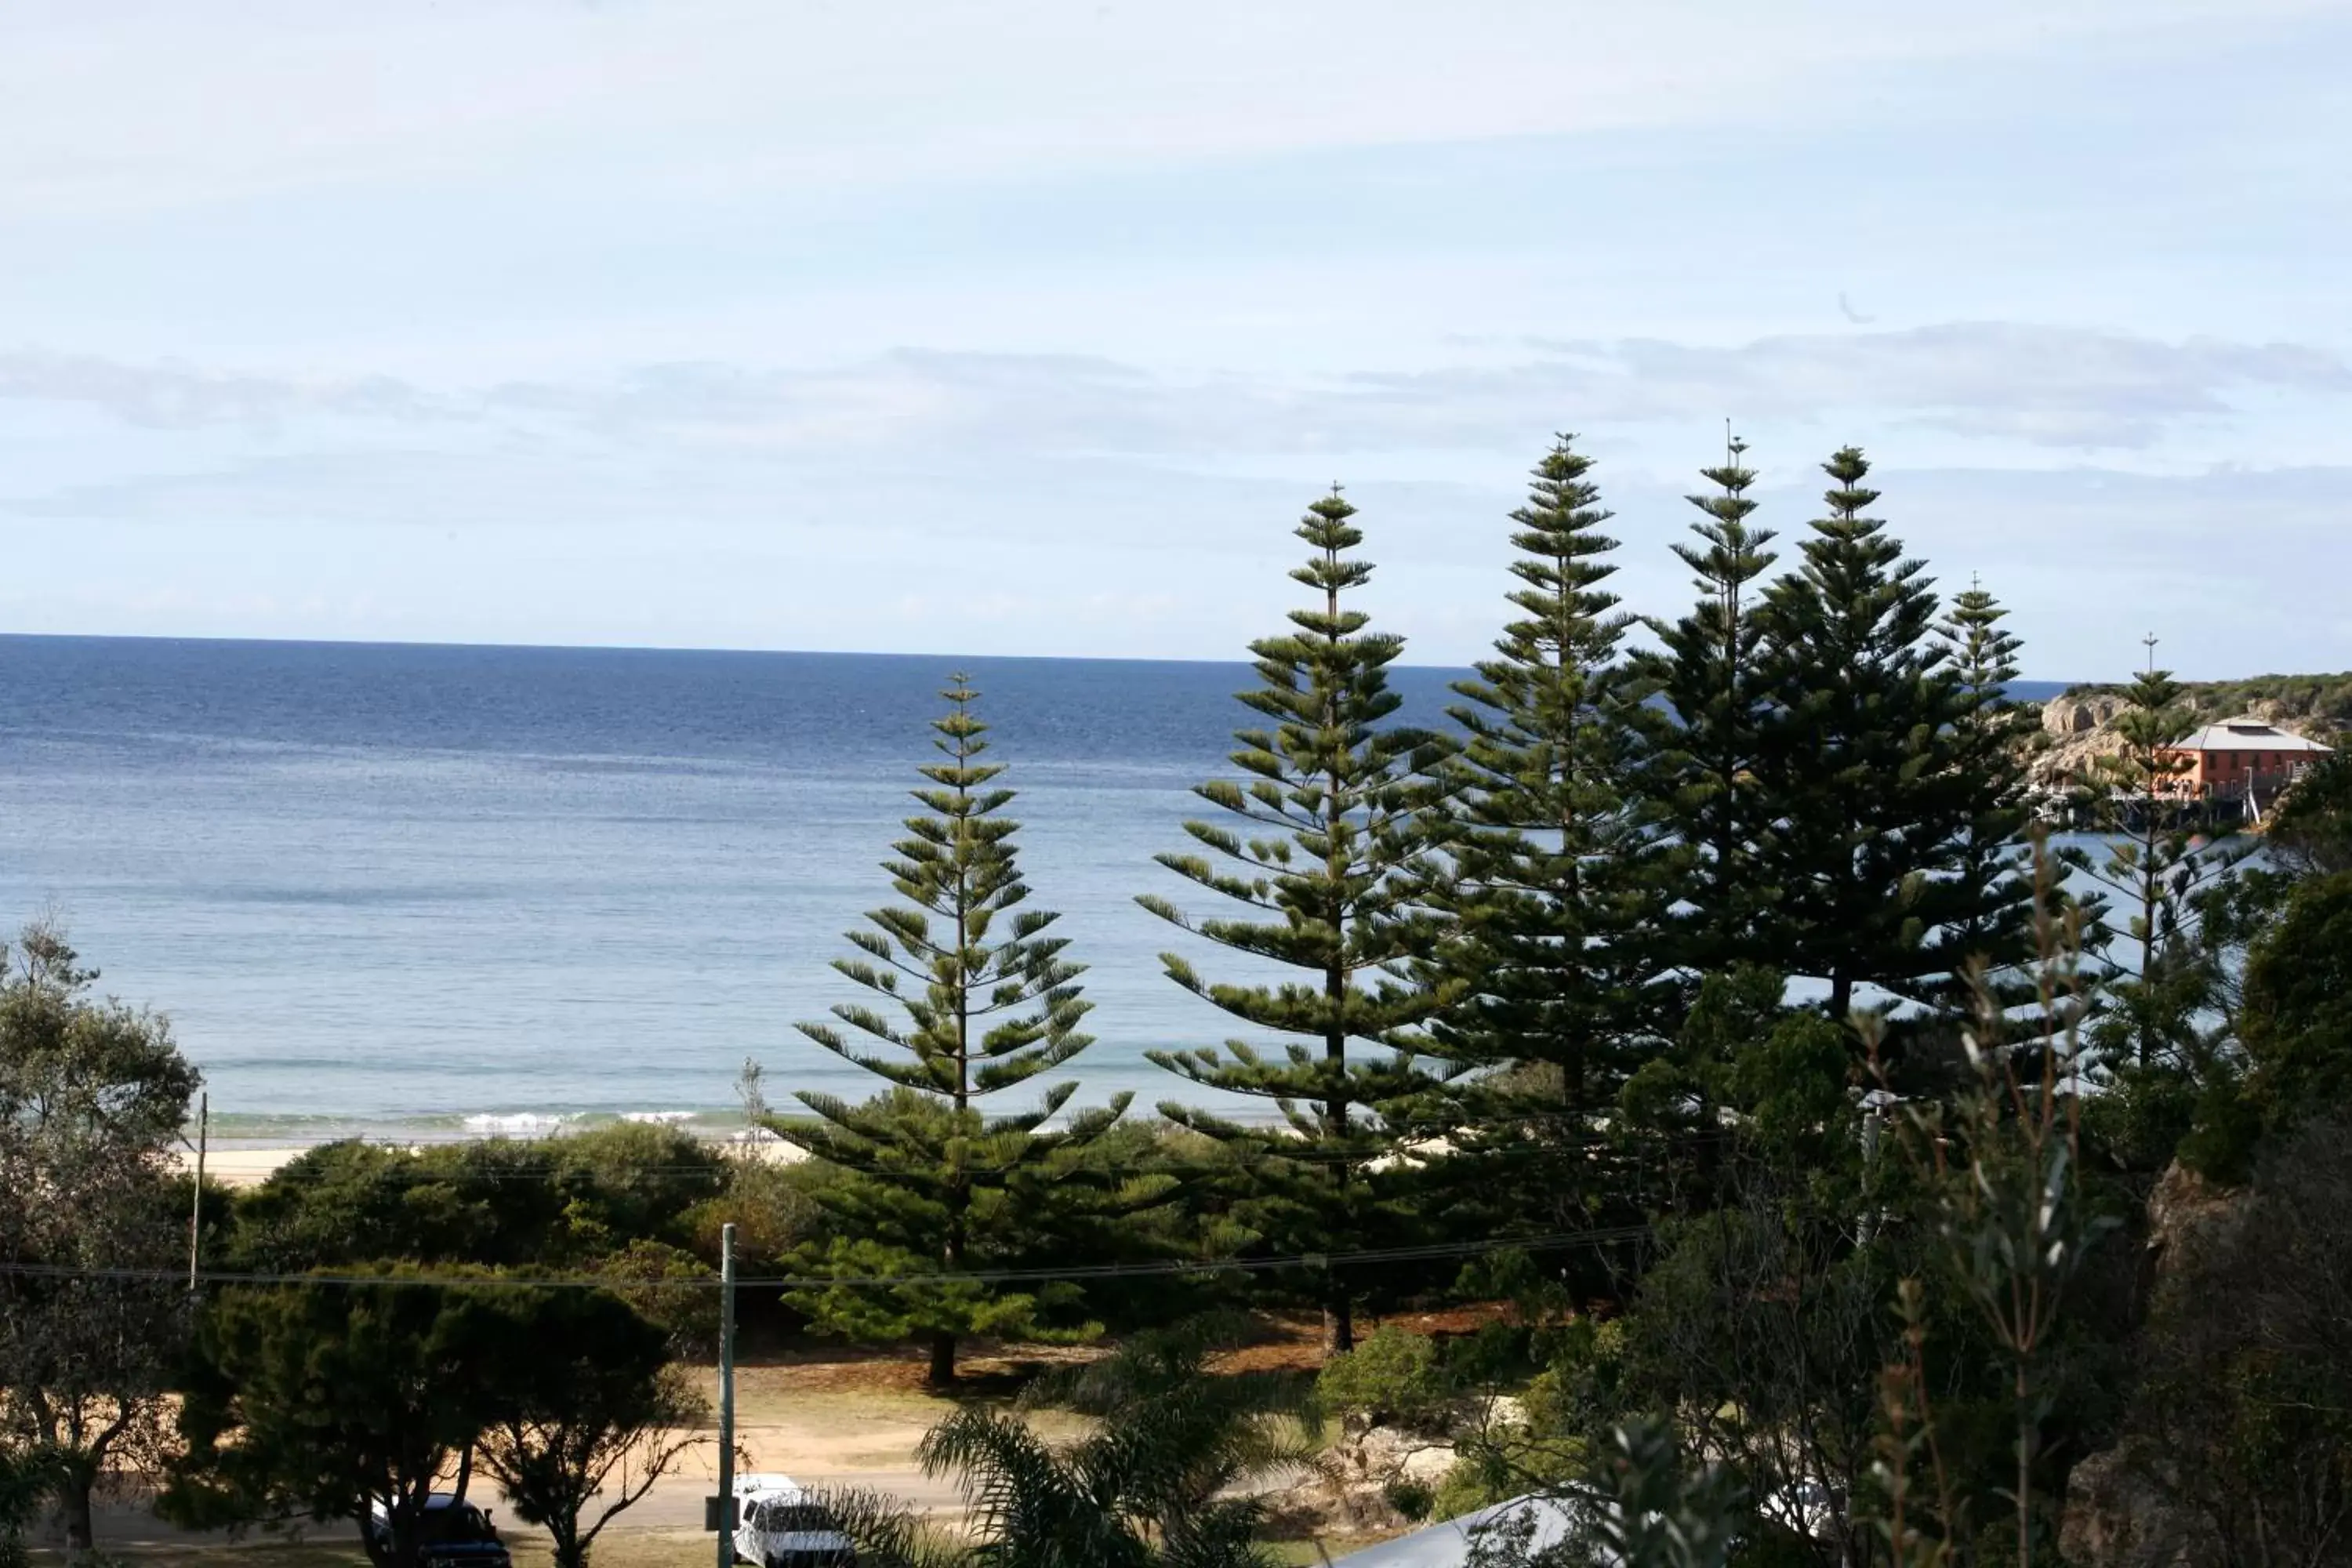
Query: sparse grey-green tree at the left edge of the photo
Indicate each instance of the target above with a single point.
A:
(93, 1099)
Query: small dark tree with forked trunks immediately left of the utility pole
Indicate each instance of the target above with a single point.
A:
(592, 1414)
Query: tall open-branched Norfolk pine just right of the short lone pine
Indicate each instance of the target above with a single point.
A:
(1325, 859)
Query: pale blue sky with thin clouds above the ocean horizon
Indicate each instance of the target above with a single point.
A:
(1034, 326)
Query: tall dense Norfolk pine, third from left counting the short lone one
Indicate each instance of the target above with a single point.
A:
(1549, 887)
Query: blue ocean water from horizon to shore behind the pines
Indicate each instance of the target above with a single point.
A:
(410, 890)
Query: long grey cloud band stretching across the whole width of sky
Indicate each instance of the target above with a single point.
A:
(2047, 387)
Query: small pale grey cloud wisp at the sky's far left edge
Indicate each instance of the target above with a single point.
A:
(185, 398)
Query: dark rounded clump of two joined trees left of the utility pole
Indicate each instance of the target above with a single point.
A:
(321, 1400)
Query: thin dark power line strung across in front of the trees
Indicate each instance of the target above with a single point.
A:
(806, 1282)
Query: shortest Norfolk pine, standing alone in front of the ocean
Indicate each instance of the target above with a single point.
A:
(975, 998)
